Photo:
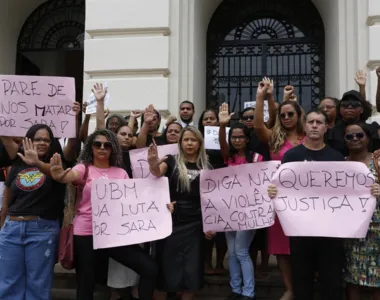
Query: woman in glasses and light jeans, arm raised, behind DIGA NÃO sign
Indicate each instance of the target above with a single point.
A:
(237, 152)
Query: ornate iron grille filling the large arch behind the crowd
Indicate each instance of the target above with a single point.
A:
(238, 59)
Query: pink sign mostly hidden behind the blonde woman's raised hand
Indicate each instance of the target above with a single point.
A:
(139, 159)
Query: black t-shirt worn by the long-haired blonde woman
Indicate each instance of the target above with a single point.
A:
(188, 207)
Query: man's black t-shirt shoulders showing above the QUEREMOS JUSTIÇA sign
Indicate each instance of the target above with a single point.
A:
(301, 153)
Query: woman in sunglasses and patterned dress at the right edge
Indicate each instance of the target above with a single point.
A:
(363, 255)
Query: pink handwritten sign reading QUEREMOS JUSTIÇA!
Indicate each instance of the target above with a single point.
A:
(328, 199)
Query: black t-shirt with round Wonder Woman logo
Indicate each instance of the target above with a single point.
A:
(34, 193)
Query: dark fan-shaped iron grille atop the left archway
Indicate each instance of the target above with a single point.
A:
(54, 25)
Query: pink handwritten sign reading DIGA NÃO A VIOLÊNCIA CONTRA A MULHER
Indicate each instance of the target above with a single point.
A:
(235, 198)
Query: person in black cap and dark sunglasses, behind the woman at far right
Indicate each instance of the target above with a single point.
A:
(352, 108)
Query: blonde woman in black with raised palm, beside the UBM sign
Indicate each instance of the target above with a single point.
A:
(180, 256)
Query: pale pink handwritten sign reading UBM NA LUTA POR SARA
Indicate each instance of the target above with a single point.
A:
(125, 213)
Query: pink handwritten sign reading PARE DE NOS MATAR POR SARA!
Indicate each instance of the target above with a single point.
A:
(29, 100)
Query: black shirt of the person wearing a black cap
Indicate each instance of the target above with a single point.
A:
(335, 137)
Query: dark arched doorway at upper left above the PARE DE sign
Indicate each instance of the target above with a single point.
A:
(51, 41)
